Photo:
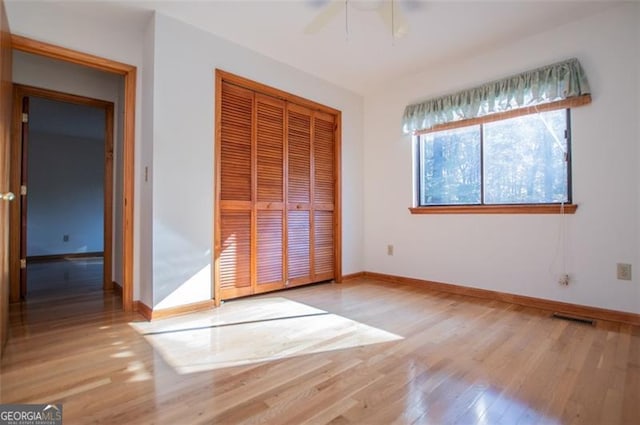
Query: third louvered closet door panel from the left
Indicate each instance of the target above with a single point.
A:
(299, 185)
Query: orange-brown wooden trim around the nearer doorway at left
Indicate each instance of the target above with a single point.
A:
(129, 73)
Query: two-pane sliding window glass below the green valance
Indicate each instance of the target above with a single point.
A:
(523, 160)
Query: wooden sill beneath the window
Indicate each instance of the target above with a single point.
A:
(496, 209)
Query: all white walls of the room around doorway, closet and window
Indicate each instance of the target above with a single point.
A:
(517, 254)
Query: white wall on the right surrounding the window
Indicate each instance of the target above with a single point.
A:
(520, 254)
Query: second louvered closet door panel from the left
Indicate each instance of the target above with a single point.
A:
(270, 205)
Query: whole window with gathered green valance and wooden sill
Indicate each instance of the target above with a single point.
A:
(501, 147)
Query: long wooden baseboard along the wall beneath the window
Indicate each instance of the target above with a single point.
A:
(543, 304)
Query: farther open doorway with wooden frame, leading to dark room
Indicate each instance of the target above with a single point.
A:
(67, 191)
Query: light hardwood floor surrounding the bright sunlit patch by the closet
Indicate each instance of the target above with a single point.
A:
(460, 361)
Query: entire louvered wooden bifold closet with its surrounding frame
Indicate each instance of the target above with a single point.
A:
(260, 220)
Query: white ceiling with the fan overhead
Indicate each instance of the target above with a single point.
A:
(368, 56)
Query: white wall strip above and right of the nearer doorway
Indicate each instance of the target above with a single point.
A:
(119, 39)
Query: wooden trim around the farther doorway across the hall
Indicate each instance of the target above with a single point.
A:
(19, 159)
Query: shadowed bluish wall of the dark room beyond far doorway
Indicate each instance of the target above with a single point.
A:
(66, 195)
